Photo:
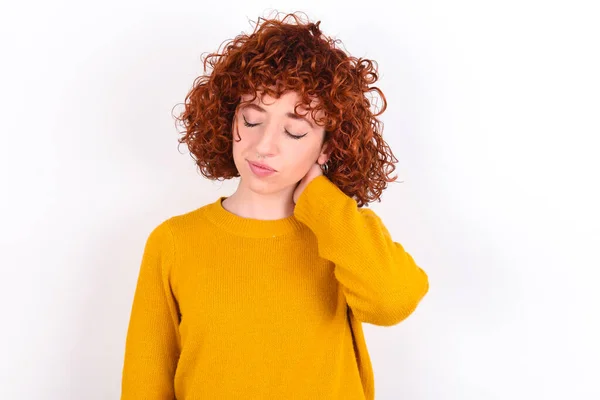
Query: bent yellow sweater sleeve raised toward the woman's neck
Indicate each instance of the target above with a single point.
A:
(382, 283)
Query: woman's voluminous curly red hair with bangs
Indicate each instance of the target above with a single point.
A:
(281, 56)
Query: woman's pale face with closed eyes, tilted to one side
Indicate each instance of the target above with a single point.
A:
(288, 143)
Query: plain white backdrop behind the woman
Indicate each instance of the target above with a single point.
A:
(493, 113)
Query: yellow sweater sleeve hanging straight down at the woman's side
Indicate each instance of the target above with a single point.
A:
(153, 344)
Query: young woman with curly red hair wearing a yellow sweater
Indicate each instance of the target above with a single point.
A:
(261, 294)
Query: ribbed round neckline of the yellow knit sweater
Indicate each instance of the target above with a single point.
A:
(250, 227)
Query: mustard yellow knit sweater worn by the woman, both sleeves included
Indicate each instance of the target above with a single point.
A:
(228, 307)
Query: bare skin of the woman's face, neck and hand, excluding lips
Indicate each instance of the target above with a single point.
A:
(297, 161)
